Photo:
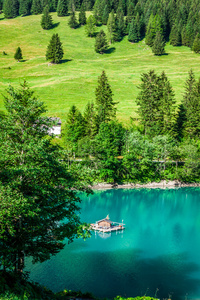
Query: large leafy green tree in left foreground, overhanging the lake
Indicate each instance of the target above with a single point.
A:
(38, 207)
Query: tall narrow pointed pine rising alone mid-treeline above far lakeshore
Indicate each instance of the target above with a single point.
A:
(105, 106)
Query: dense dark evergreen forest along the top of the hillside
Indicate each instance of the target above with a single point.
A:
(177, 21)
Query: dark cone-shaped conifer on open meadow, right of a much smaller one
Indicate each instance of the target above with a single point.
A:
(54, 51)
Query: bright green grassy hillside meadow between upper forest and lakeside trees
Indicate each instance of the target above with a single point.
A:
(75, 79)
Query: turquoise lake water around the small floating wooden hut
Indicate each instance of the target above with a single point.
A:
(157, 254)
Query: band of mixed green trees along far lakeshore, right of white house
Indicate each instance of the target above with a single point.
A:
(163, 144)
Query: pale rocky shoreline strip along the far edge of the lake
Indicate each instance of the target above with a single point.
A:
(162, 185)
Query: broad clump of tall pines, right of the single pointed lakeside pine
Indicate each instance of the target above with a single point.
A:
(156, 104)
